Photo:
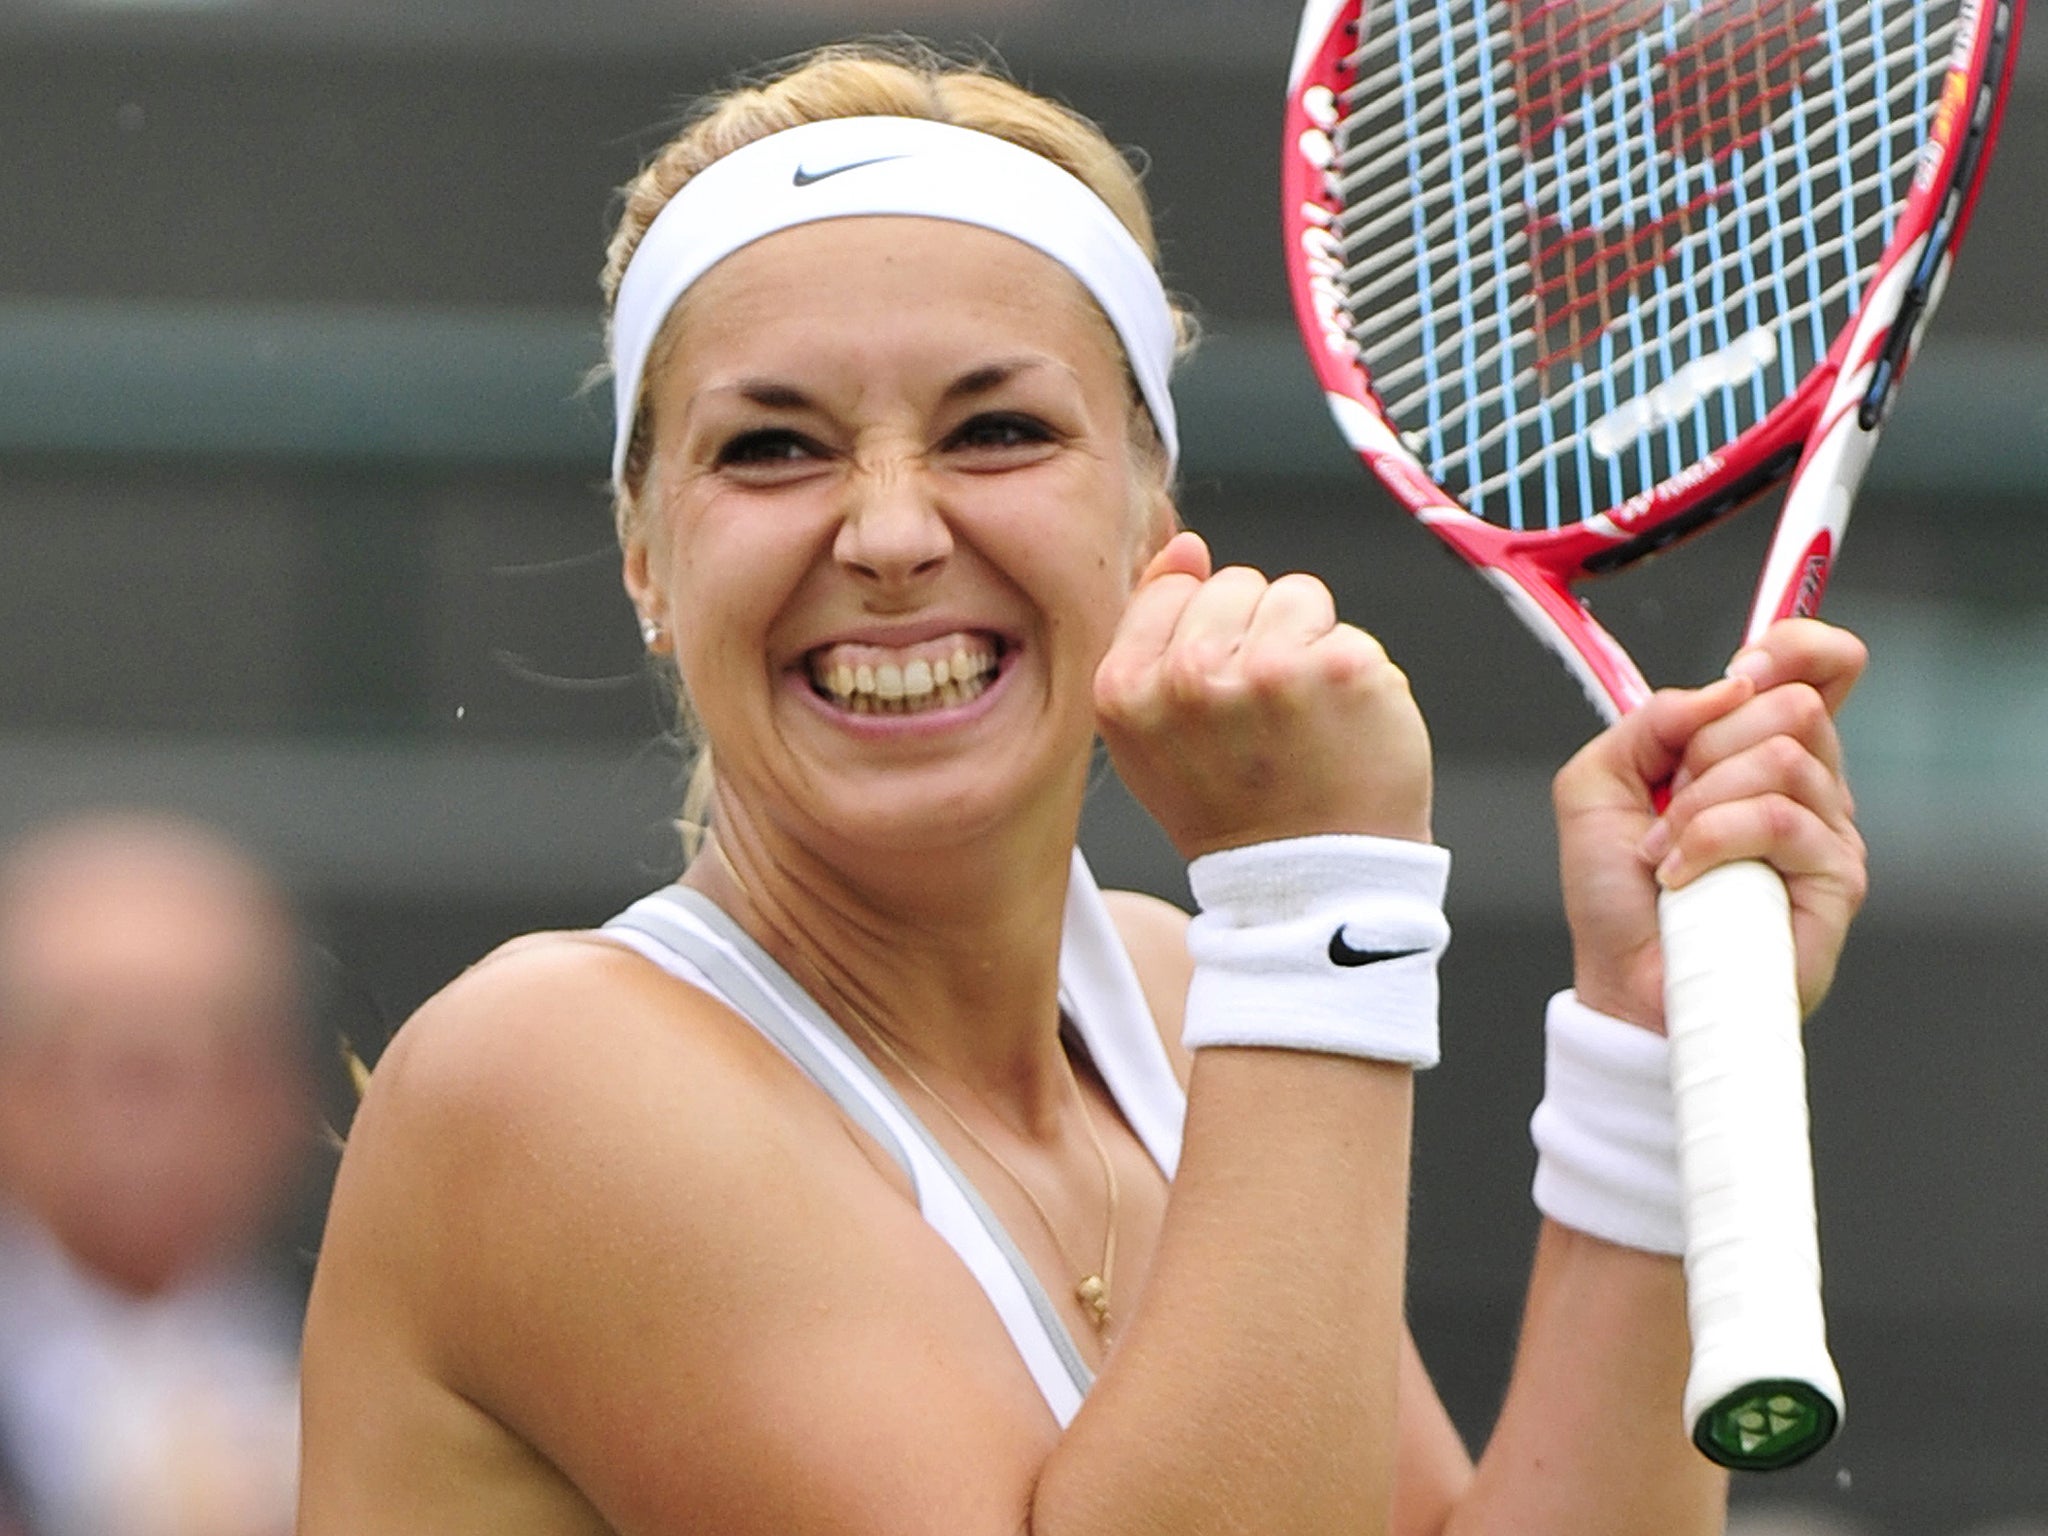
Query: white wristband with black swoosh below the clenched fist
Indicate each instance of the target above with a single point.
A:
(1320, 945)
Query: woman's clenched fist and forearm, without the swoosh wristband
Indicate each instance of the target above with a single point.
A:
(1258, 1383)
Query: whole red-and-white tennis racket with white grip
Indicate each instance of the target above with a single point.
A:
(1582, 278)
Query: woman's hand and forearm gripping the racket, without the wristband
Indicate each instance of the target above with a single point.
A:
(1590, 1437)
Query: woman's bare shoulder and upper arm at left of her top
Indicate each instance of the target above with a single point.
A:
(601, 1258)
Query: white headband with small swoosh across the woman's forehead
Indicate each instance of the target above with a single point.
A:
(859, 167)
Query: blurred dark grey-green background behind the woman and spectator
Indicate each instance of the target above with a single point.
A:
(304, 534)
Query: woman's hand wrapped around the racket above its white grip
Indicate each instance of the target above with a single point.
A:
(1756, 773)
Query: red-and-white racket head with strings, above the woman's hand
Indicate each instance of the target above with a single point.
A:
(1580, 278)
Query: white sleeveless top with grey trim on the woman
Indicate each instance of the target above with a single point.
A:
(695, 941)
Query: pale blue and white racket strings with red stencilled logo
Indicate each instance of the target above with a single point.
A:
(1588, 243)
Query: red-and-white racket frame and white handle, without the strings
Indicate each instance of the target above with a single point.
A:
(1760, 1351)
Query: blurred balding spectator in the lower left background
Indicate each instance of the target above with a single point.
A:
(153, 1115)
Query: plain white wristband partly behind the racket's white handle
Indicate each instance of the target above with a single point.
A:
(1607, 1134)
